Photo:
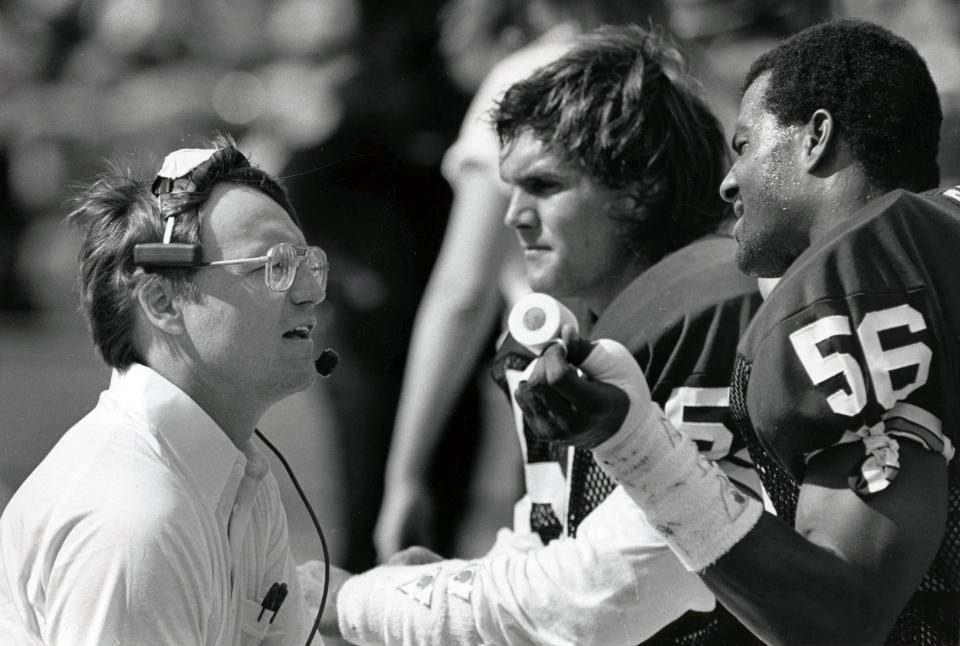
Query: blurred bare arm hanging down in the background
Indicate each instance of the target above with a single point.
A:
(459, 306)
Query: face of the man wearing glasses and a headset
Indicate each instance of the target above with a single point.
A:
(246, 339)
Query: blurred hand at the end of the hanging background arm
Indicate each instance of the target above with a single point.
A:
(406, 518)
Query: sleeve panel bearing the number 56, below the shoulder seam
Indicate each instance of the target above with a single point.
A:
(847, 368)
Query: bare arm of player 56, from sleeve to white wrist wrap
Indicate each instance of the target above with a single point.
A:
(844, 574)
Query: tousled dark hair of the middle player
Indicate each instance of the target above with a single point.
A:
(622, 107)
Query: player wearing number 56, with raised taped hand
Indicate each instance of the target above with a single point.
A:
(845, 382)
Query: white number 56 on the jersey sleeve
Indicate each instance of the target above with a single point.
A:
(879, 362)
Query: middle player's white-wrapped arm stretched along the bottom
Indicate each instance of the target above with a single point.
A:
(617, 582)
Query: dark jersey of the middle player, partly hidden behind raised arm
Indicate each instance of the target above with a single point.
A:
(682, 320)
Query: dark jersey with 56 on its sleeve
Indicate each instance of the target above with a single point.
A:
(858, 341)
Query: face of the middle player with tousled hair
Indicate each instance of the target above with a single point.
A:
(572, 246)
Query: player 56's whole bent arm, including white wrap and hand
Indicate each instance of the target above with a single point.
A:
(841, 577)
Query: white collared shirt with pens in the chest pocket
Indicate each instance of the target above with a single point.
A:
(146, 525)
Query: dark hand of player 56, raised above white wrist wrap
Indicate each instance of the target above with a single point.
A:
(562, 404)
